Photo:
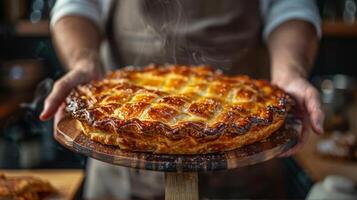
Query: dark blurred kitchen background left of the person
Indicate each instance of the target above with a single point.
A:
(27, 58)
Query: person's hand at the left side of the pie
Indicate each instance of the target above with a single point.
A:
(83, 71)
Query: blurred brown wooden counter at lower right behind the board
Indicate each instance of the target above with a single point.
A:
(319, 167)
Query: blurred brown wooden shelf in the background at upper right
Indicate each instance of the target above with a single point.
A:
(339, 29)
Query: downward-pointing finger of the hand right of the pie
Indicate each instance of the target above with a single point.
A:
(314, 109)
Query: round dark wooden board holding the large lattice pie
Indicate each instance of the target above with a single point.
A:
(70, 135)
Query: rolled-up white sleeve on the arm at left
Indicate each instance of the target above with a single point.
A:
(95, 10)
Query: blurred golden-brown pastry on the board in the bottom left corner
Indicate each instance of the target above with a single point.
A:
(23, 188)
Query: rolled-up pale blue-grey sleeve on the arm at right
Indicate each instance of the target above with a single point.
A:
(276, 12)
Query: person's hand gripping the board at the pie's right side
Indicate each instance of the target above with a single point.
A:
(308, 102)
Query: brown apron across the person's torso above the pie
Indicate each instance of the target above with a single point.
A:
(221, 33)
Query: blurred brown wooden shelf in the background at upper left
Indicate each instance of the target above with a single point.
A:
(27, 28)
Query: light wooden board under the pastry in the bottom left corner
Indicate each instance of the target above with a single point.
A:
(67, 182)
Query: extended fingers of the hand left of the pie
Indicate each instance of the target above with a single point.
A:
(59, 92)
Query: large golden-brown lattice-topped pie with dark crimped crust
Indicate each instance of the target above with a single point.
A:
(178, 109)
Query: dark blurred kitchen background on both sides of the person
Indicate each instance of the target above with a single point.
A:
(29, 66)
